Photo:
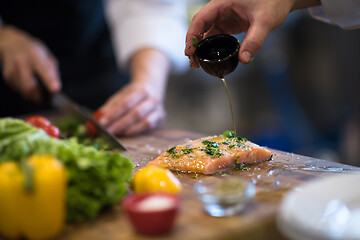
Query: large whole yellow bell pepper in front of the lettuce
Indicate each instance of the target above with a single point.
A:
(36, 214)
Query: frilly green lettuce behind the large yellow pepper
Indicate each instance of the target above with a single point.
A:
(95, 178)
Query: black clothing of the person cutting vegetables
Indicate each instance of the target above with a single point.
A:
(76, 32)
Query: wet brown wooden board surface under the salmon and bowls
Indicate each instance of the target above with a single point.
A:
(273, 179)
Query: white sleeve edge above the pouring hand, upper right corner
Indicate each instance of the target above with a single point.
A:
(344, 13)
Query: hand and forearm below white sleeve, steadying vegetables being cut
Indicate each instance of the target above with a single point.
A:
(139, 106)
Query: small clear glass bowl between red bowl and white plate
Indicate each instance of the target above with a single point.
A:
(224, 196)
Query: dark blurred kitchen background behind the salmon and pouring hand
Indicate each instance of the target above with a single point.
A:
(301, 93)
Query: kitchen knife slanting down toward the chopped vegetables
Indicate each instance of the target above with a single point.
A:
(60, 100)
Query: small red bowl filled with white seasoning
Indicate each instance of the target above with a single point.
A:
(151, 221)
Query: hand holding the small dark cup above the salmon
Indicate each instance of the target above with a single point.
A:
(255, 17)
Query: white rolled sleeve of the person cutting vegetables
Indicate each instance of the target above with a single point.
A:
(137, 24)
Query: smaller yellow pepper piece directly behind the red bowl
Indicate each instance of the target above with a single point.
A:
(155, 179)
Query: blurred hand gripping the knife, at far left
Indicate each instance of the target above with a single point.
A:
(24, 57)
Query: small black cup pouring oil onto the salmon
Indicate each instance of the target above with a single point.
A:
(218, 54)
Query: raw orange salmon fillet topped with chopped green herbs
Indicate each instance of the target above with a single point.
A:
(212, 154)
